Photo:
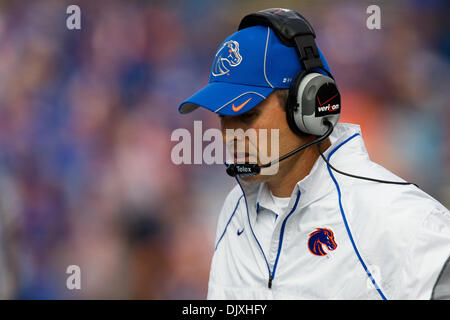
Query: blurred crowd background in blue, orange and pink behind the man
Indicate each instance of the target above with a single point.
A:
(86, 118)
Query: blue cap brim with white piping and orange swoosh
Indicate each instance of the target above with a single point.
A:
(226, 98)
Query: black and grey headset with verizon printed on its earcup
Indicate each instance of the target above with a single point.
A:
(313, 97)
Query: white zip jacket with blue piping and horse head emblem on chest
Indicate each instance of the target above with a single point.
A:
(384, 241)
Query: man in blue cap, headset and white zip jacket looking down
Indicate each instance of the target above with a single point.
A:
(309, 230)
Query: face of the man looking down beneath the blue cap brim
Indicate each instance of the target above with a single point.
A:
(268, 116)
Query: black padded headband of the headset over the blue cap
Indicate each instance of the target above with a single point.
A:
(292, 29)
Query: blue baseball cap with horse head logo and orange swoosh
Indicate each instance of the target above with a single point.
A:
(248, 66)
